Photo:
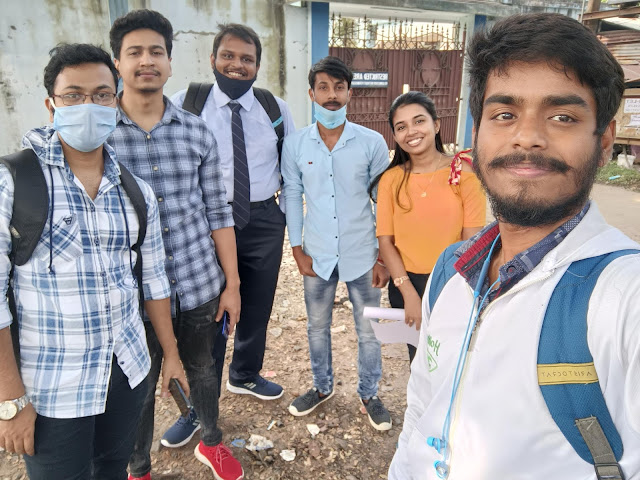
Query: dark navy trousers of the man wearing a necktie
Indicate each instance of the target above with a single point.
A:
(259, 246)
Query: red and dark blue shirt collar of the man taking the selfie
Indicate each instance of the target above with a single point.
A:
(472, 254)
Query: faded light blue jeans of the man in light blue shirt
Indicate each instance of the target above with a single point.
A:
(319, 295)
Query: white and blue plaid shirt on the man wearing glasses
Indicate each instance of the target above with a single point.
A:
(75, 317)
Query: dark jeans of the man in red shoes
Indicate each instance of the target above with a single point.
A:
(196, 331)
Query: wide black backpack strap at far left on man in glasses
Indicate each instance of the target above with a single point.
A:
(30, 203)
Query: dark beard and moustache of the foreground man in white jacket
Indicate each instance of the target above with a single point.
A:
(526, 208)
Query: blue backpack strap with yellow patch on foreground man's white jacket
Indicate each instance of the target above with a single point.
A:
(566, 374)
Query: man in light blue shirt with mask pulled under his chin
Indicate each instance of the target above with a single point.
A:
(332, 162)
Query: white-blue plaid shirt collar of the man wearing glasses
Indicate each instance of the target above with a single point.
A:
(46, 145)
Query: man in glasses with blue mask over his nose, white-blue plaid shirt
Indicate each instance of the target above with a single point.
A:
(72, 403)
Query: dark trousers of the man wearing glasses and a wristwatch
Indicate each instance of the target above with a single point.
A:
(96, 447)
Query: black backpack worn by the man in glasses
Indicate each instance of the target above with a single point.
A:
(31, 209)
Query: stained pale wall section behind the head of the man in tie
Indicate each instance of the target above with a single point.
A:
(195, 25)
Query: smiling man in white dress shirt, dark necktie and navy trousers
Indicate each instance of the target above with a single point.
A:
(235, 62)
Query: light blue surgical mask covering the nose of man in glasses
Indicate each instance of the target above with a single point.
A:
(84, 127)
